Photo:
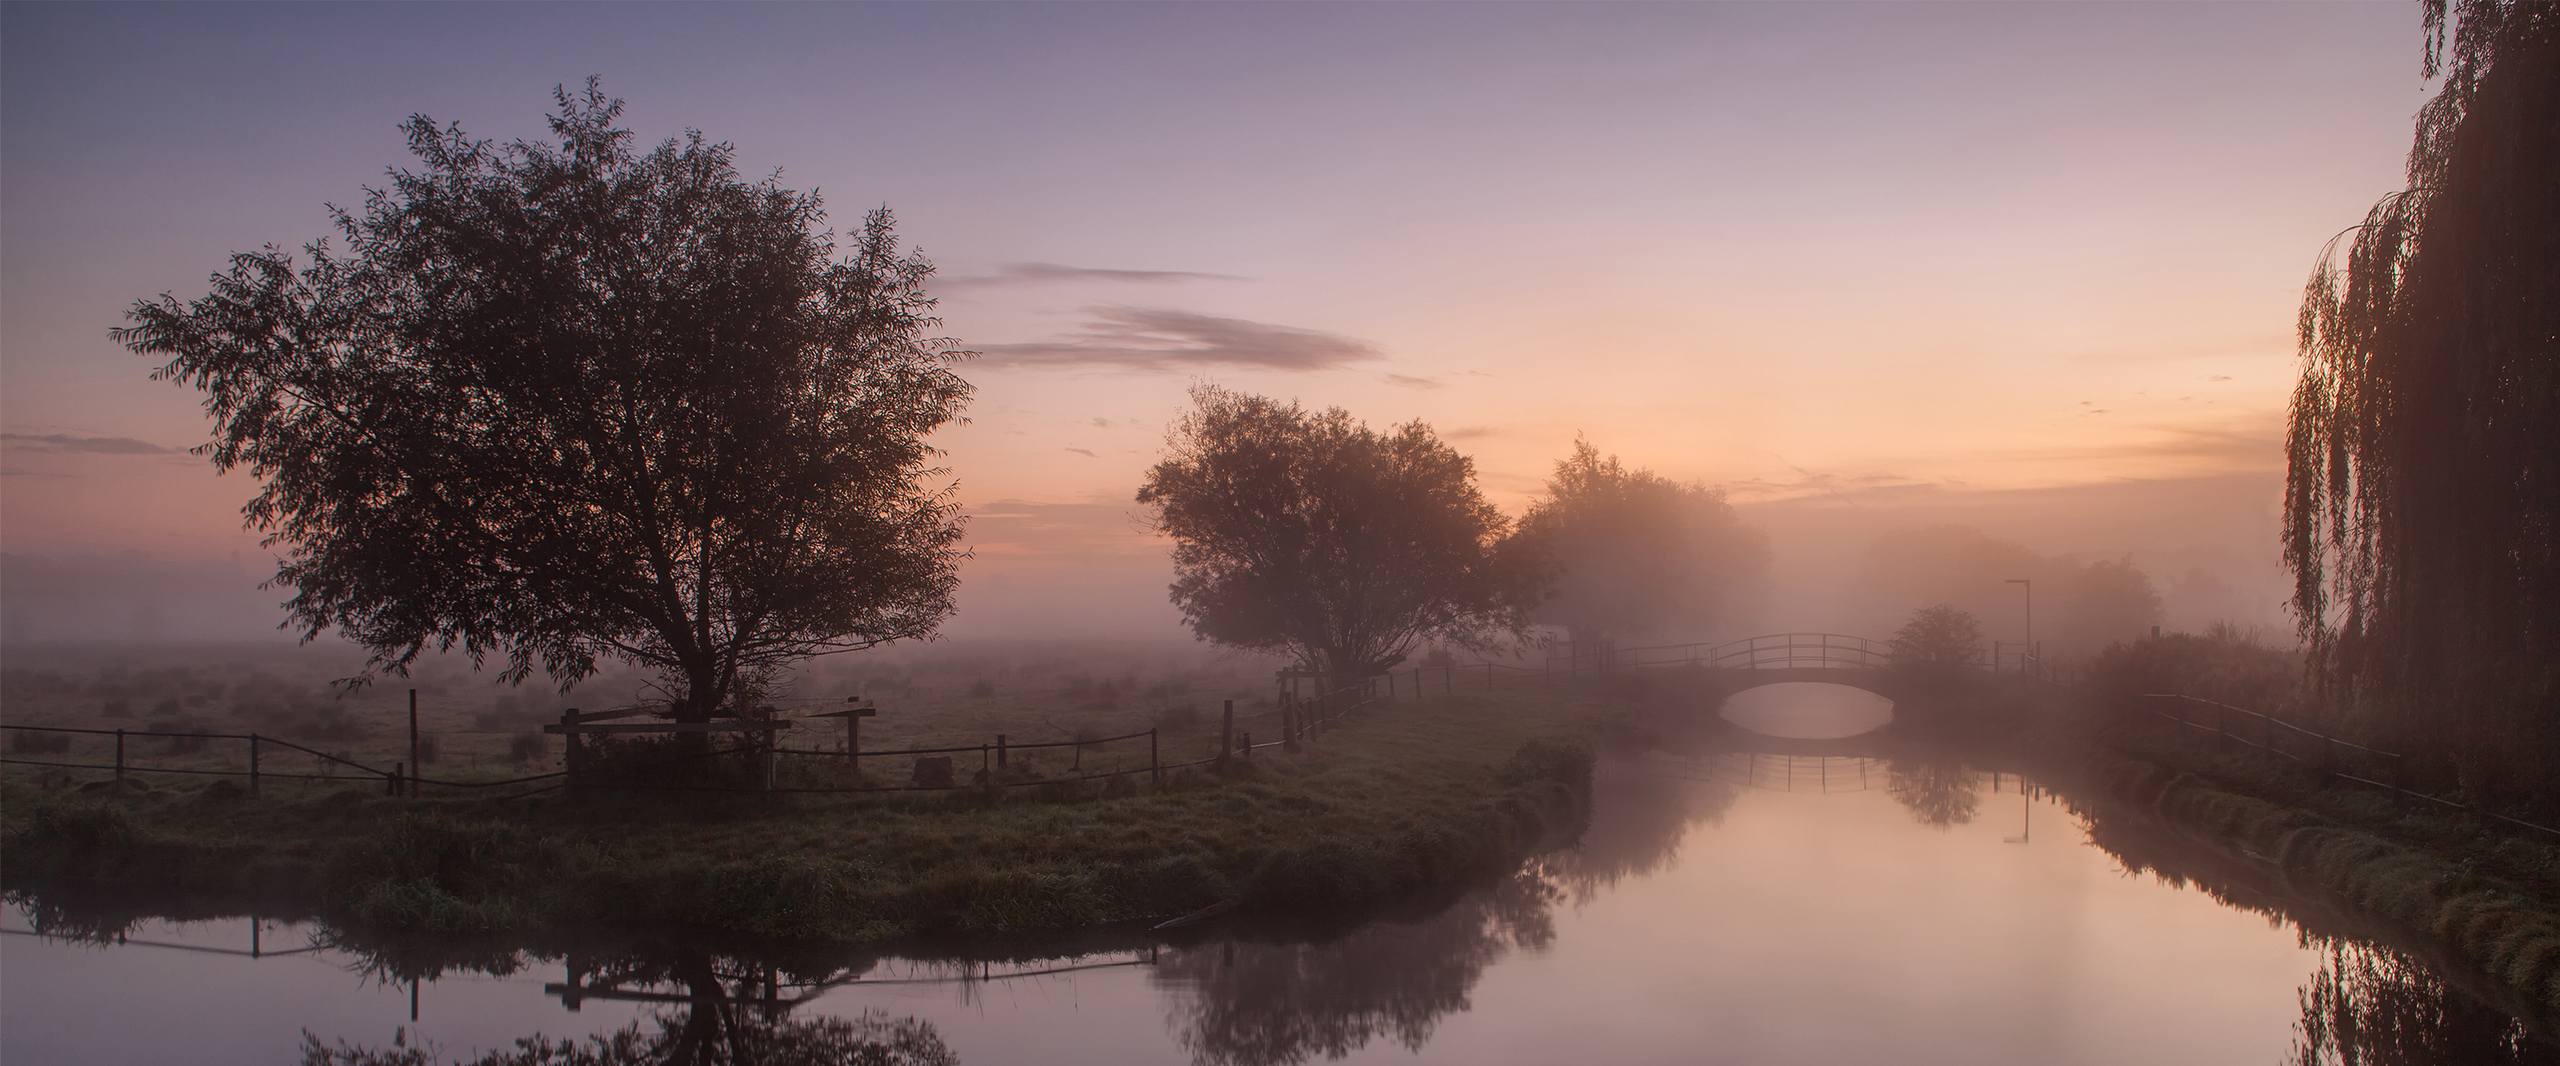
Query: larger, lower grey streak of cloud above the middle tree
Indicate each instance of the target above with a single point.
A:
(1181, 340)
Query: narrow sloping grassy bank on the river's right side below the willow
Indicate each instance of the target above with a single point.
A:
(2431, 890)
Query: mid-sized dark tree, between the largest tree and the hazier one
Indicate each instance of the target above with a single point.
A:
(1320, 537)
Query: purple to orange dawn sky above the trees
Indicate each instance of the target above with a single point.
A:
(2016, 265)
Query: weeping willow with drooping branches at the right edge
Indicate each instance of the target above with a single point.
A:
(2423, 496)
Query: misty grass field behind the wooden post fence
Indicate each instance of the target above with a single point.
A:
(475, 729)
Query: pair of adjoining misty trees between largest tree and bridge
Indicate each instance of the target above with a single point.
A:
(1353, 550)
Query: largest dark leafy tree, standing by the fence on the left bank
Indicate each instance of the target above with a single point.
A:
(567, 401)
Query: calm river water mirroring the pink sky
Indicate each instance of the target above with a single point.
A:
(1722, 908)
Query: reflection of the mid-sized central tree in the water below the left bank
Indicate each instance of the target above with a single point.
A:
(1289, 1003)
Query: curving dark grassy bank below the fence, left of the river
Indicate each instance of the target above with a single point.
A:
(1399, 801)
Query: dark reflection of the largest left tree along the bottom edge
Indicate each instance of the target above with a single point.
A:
(713, 1019)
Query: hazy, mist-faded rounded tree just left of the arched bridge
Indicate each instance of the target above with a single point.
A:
(1637, 552)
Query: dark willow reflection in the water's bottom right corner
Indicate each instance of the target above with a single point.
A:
(2374, 1006)
